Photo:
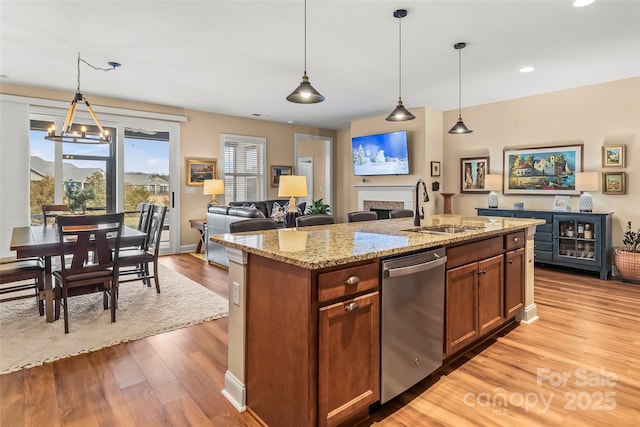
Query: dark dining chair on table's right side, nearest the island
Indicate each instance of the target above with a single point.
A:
(136, 261)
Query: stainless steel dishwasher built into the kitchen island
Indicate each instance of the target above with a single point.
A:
(412, 320)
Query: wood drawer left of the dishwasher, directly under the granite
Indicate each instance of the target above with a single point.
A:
(348, 281)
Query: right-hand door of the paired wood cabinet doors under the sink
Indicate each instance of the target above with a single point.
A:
(490, 293)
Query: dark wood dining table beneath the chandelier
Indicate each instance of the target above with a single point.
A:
(43, 242)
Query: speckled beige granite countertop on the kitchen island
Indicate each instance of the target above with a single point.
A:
(331, 245)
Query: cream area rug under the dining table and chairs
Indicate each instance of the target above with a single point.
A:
(26, 340)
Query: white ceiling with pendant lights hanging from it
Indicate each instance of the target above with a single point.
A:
(243, 57)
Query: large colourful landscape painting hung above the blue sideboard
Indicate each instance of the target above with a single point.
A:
(542, 171)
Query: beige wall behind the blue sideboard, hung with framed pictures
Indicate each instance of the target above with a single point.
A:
(595, 115)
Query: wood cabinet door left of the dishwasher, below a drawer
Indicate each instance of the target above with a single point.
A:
(349, 358)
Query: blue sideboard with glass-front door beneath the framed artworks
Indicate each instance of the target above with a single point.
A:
(580, 240)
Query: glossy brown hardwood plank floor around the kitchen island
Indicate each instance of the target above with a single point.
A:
(578, 365)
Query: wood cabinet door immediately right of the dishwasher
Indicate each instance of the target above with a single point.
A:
(461, 302)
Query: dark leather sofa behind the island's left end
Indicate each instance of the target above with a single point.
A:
(219, 218)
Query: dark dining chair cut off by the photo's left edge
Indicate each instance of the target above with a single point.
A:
(15, 272)
